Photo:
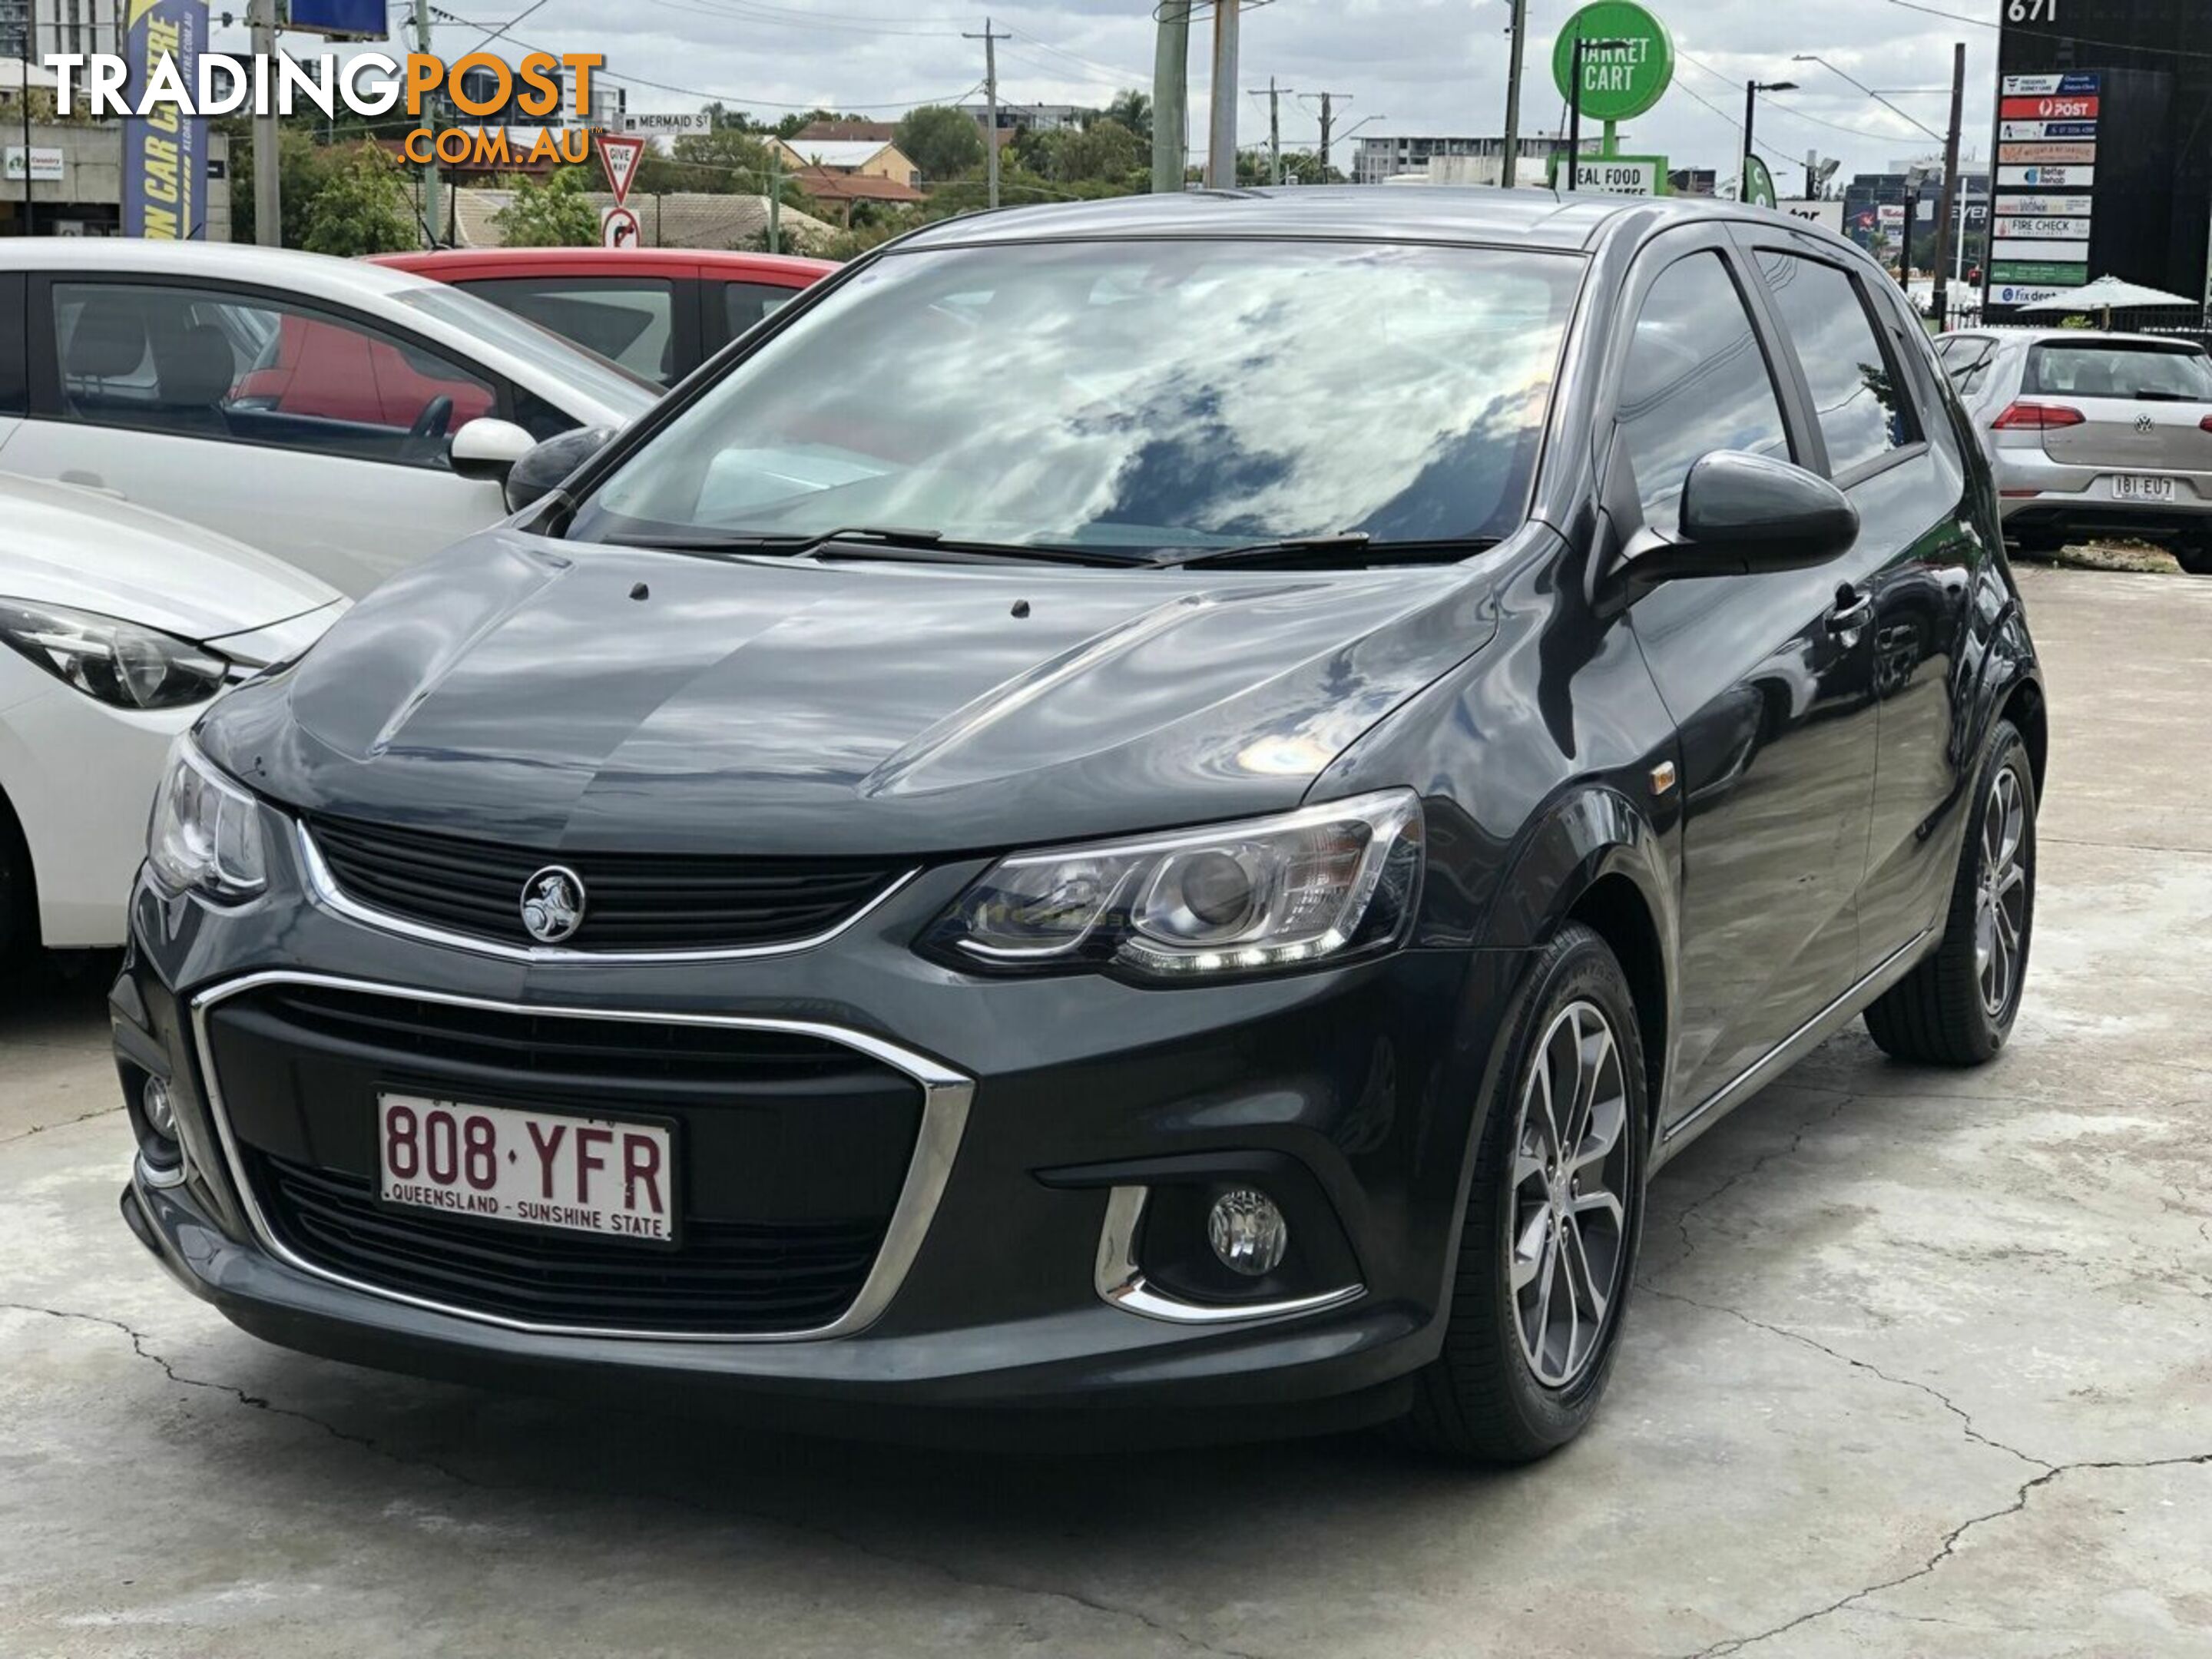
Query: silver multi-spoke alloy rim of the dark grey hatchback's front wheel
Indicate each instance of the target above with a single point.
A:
(1569, 1213)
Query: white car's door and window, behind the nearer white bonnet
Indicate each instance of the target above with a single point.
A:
(300, 428)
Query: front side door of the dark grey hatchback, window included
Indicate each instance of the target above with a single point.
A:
(1768, 678)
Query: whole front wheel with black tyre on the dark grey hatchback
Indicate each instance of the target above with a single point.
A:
(1554, 1215)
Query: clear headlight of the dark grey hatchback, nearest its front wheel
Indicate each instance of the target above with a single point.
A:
(1313, 886)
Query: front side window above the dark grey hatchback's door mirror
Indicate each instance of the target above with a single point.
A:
(1698, 382)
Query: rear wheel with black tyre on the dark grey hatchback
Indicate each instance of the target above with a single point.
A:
(1959, 1008)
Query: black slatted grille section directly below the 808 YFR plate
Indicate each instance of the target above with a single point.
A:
(727, 1277)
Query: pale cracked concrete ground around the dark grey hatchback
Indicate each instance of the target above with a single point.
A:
(1921, 1366)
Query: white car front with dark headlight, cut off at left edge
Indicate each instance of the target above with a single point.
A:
(118, 627)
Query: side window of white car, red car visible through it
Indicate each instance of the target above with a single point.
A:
(200, 364)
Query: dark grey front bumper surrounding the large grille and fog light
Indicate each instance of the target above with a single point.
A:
(1016, 1280)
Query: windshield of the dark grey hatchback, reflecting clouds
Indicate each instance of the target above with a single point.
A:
(1147, 395)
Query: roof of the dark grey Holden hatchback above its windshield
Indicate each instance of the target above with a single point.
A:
(1415, 213)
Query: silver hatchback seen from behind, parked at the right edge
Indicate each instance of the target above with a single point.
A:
(2094, 435)
